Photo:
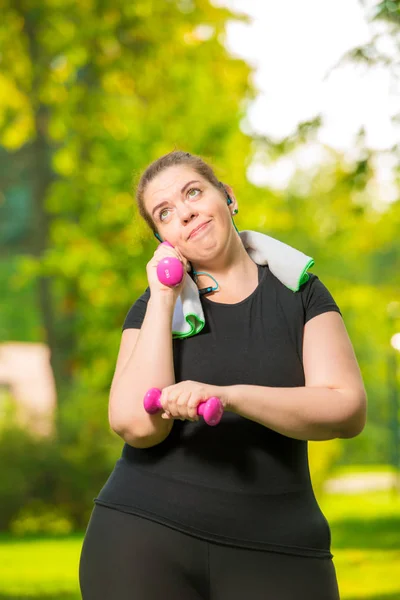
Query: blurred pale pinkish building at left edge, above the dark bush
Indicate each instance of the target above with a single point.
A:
(26, 375)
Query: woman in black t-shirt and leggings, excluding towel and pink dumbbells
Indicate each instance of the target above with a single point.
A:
(198, 512)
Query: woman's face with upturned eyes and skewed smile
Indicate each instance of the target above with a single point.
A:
(179, 200)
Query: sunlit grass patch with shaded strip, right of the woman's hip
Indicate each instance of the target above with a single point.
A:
(365, 544)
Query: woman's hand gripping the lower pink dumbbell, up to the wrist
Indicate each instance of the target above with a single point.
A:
(180, 400)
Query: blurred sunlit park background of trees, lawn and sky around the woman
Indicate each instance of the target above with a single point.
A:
(296, 107)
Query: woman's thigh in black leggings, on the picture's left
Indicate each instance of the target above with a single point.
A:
(125, 557)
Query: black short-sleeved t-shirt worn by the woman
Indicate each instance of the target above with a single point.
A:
(238, 483)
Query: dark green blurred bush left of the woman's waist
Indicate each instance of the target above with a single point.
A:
(48, 484)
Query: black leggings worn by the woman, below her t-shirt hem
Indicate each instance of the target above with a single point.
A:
(125, 557)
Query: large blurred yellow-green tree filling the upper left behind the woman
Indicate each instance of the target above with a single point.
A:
(93, 91)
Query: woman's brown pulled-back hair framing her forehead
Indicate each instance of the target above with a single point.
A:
(177, 157)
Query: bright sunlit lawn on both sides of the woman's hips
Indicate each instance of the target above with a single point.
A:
(365, 544)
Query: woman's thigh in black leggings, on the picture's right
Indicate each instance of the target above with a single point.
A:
(237, 573)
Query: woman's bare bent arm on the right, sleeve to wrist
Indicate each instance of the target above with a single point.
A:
(333, 403)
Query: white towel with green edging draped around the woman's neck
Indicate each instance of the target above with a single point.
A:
(286, 263)
